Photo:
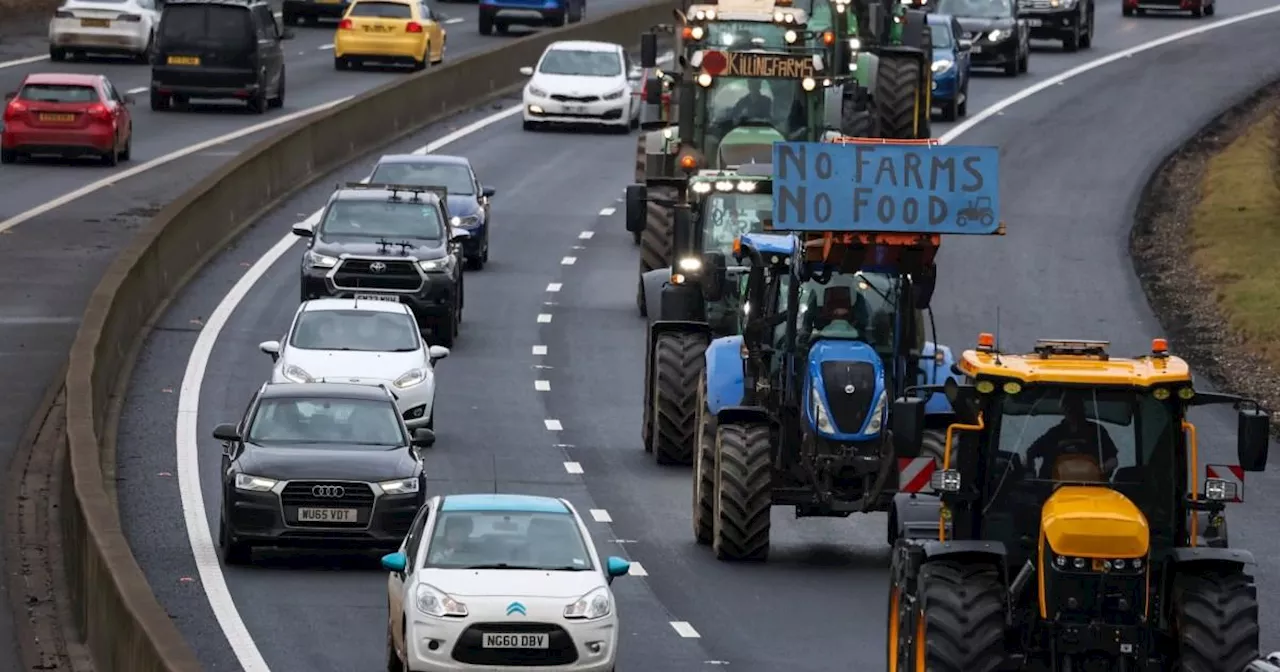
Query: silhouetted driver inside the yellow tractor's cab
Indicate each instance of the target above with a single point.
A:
(1071, 450)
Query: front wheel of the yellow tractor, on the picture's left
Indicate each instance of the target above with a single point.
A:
(959, 623)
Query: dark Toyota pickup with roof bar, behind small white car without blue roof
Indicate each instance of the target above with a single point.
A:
(390, 243)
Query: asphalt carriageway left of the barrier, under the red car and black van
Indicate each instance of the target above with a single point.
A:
(52, 259)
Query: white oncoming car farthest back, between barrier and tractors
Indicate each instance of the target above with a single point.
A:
(583, 83)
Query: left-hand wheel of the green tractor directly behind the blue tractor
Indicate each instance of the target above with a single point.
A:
(678, 367)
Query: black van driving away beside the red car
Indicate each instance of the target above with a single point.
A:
(220, 49)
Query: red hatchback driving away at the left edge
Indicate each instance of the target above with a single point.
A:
(68, 116)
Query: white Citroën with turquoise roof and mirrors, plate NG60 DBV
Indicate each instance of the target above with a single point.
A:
(487, 582)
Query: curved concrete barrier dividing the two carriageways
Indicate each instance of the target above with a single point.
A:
(124, 624)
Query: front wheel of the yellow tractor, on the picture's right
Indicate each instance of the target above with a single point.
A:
(1217, 620)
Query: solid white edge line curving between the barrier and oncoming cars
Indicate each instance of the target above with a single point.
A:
(188, 449)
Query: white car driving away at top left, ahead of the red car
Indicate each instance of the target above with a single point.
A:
(117, 28)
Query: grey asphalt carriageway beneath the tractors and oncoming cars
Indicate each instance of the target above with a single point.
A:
(1075, 158)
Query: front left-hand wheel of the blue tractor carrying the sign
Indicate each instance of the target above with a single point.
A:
(744, 492)
